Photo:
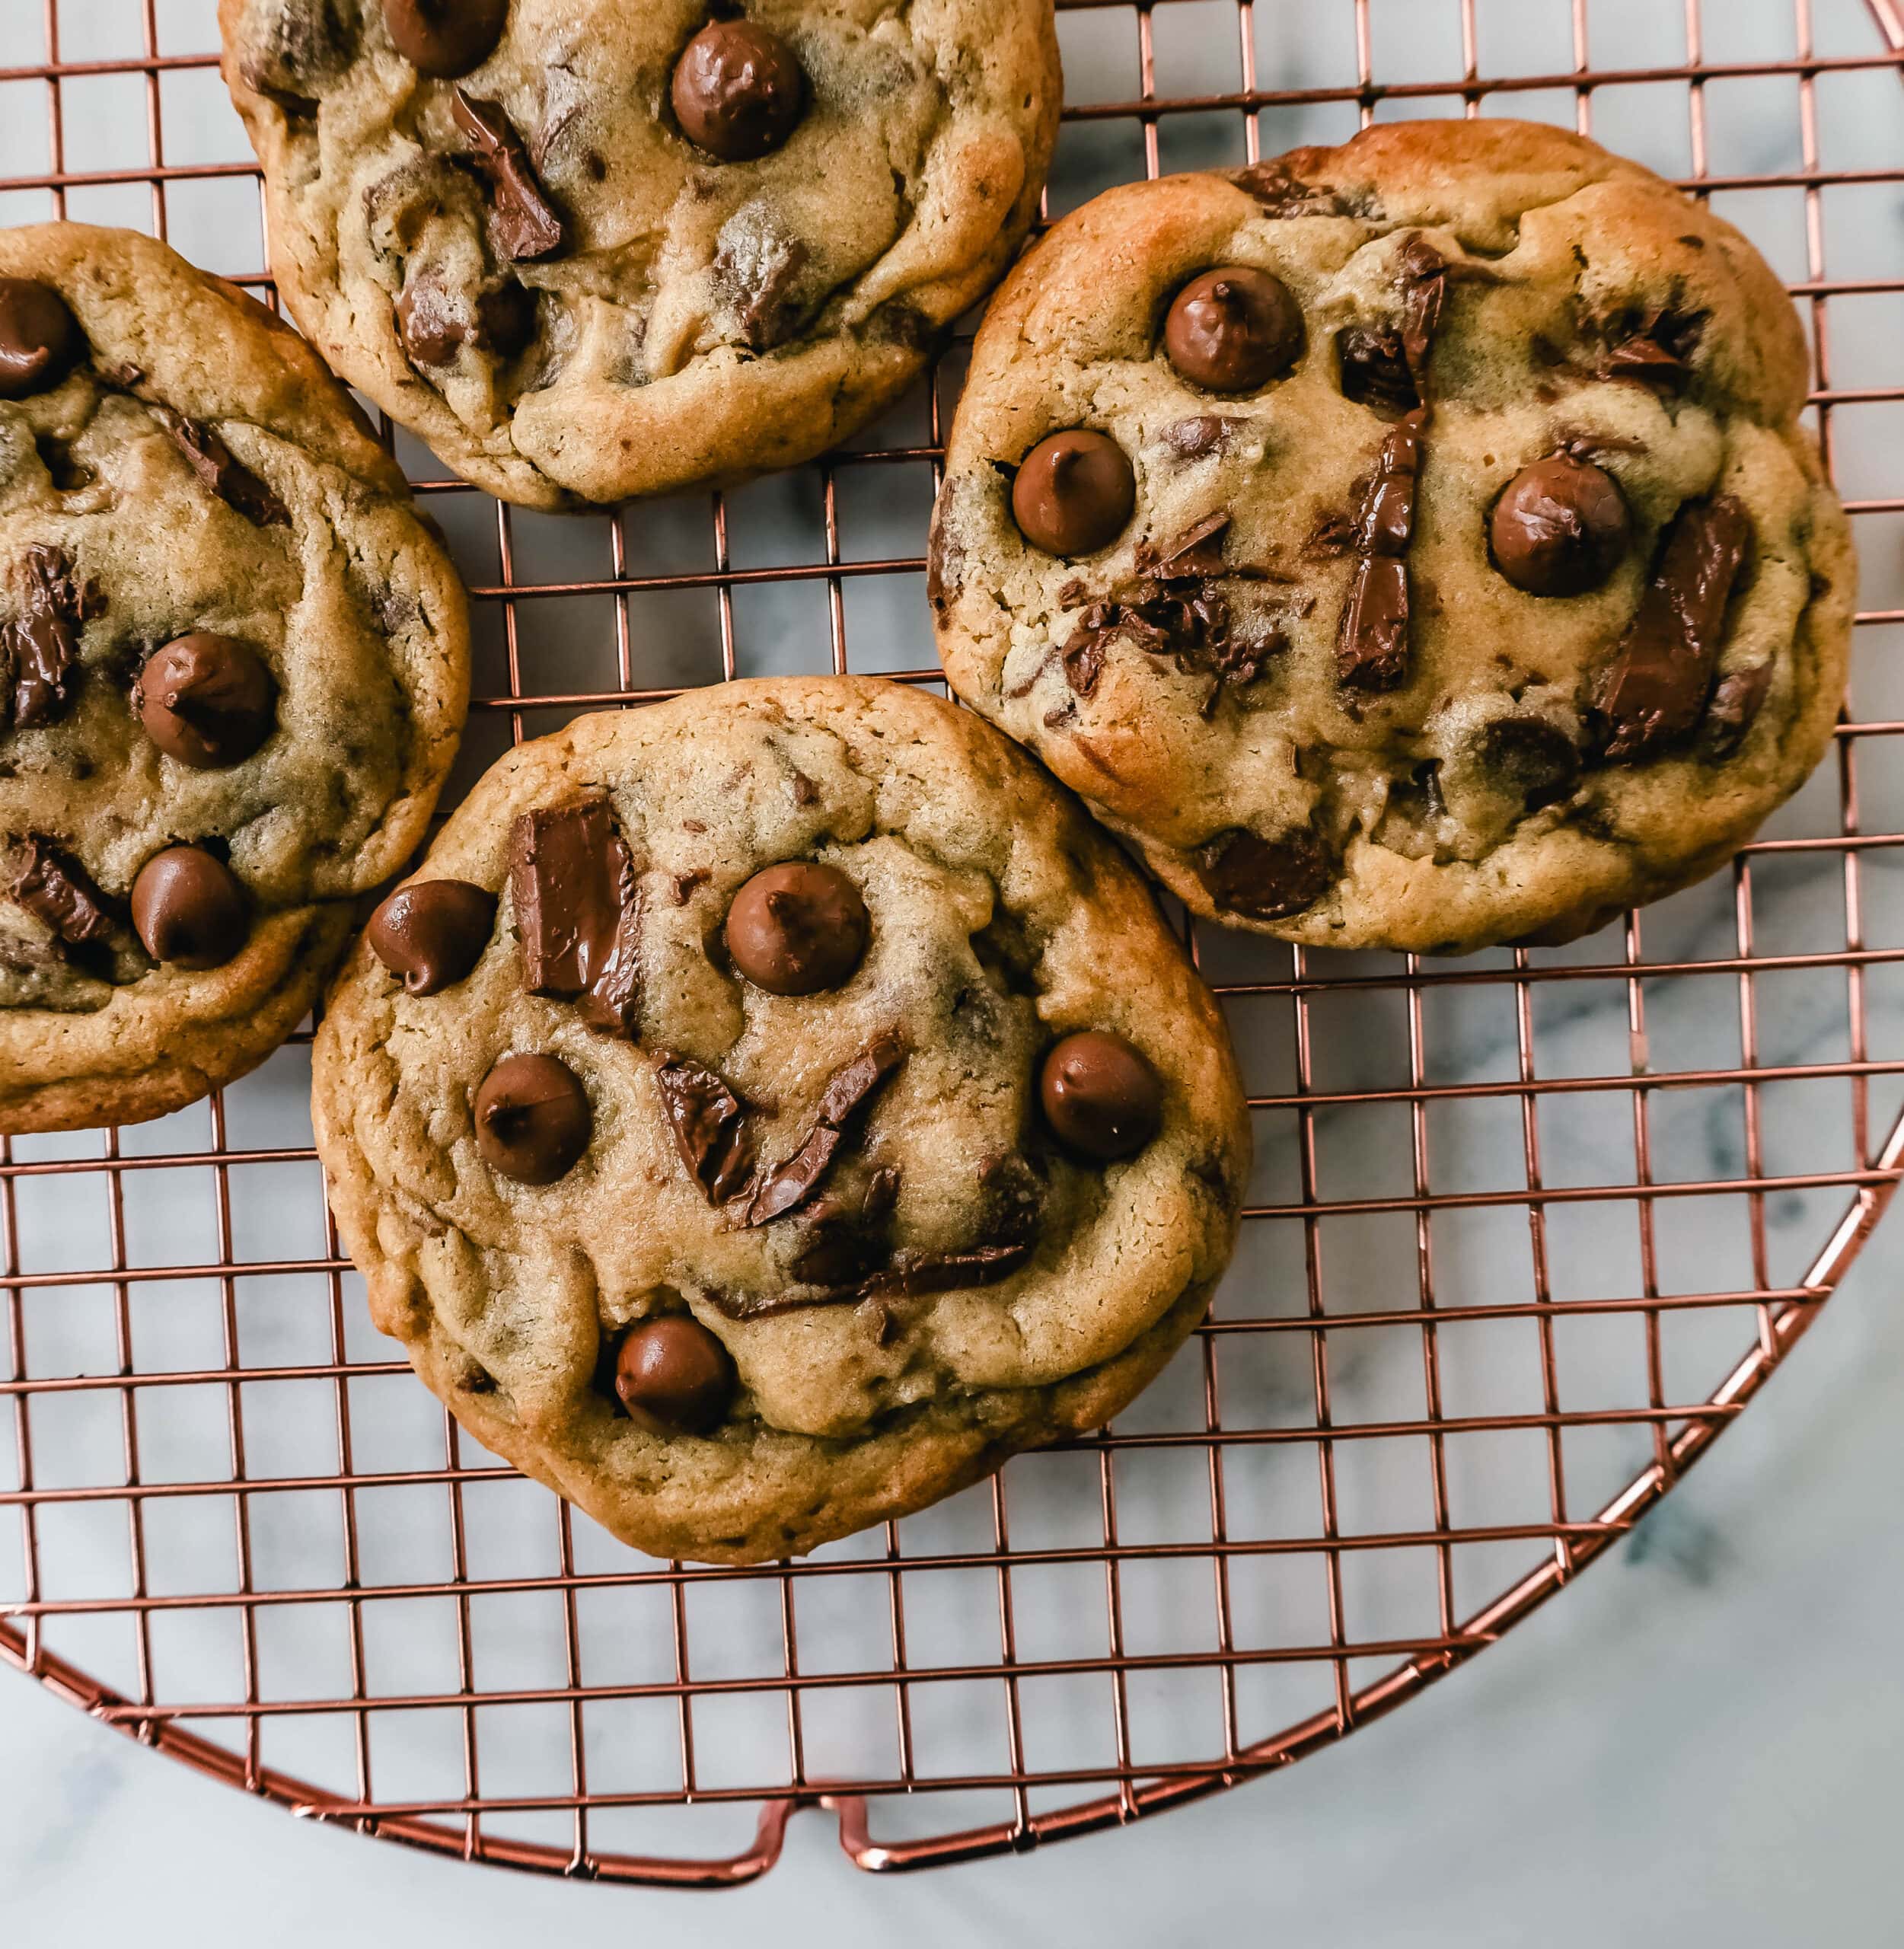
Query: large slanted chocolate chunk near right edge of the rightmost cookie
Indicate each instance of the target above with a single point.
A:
(1663, 671)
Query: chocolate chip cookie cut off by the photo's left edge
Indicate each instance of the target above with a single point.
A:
(233, 675)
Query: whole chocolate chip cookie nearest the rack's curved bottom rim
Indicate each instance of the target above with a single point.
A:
(767, 1112)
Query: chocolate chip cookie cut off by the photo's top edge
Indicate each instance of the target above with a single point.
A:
(613, 248)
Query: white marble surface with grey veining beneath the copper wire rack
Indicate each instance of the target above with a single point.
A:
(1696, 1743)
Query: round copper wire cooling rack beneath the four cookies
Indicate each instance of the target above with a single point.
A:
(1529, 1231)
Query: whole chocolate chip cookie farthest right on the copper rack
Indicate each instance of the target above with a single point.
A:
(1410, 545)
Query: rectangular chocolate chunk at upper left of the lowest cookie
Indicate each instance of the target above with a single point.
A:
(580, 911)
